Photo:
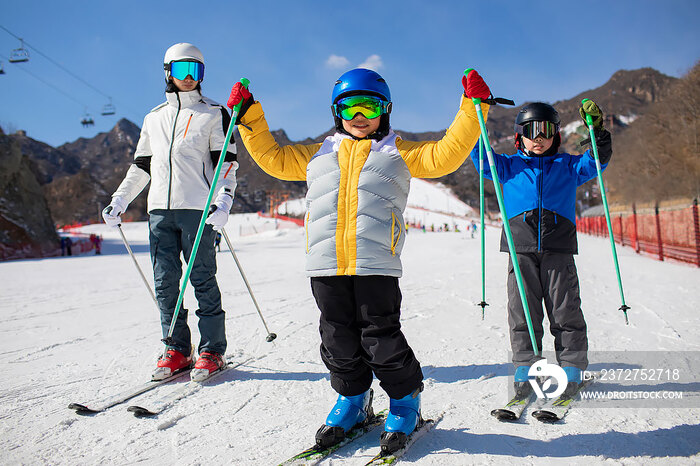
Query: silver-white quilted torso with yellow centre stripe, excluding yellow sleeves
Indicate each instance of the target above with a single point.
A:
(354, 223)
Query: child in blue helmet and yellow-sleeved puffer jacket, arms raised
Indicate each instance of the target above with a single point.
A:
(358, 182)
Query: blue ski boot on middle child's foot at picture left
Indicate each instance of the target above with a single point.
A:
(348, 412)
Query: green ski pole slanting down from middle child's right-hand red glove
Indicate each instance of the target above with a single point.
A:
(504, 218)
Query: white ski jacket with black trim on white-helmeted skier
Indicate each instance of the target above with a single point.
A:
(179, 147)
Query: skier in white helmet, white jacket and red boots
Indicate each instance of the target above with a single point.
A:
(178, 150)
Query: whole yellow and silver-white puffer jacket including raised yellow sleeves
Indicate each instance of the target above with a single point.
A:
(358, 189)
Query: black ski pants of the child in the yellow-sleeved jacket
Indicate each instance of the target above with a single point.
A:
(361, 334)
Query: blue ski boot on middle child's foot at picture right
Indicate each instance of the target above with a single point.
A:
(404, 416)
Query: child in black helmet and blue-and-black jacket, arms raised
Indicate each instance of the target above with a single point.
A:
(539, 191)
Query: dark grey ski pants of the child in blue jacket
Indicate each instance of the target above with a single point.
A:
(552, 278)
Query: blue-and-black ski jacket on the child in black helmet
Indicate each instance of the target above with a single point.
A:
(539, 194)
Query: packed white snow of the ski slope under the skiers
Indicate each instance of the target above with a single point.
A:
(78, 329)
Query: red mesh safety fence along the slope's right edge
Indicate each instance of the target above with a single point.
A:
(671, 232)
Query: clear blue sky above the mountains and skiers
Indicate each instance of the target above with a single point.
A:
(293, 52)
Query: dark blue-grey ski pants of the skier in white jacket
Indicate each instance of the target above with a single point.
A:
(173, 232)
